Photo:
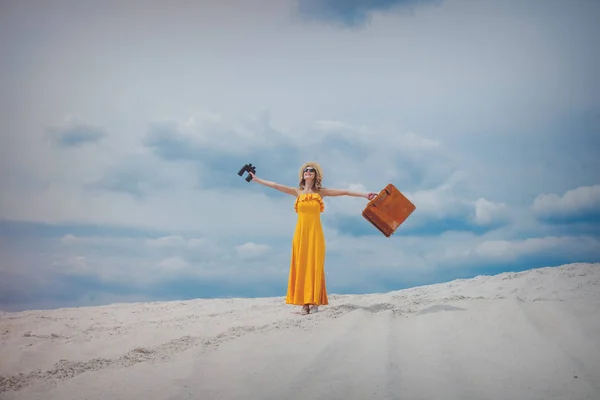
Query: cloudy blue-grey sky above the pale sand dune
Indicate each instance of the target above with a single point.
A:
(123, 126)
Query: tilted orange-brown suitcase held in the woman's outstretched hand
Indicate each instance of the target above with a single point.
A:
(388, 210)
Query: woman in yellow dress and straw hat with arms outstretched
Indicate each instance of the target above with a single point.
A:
(306, 282)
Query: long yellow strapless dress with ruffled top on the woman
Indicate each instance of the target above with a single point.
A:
(306, 283)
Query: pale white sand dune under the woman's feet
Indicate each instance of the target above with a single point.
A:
(529, 335)
